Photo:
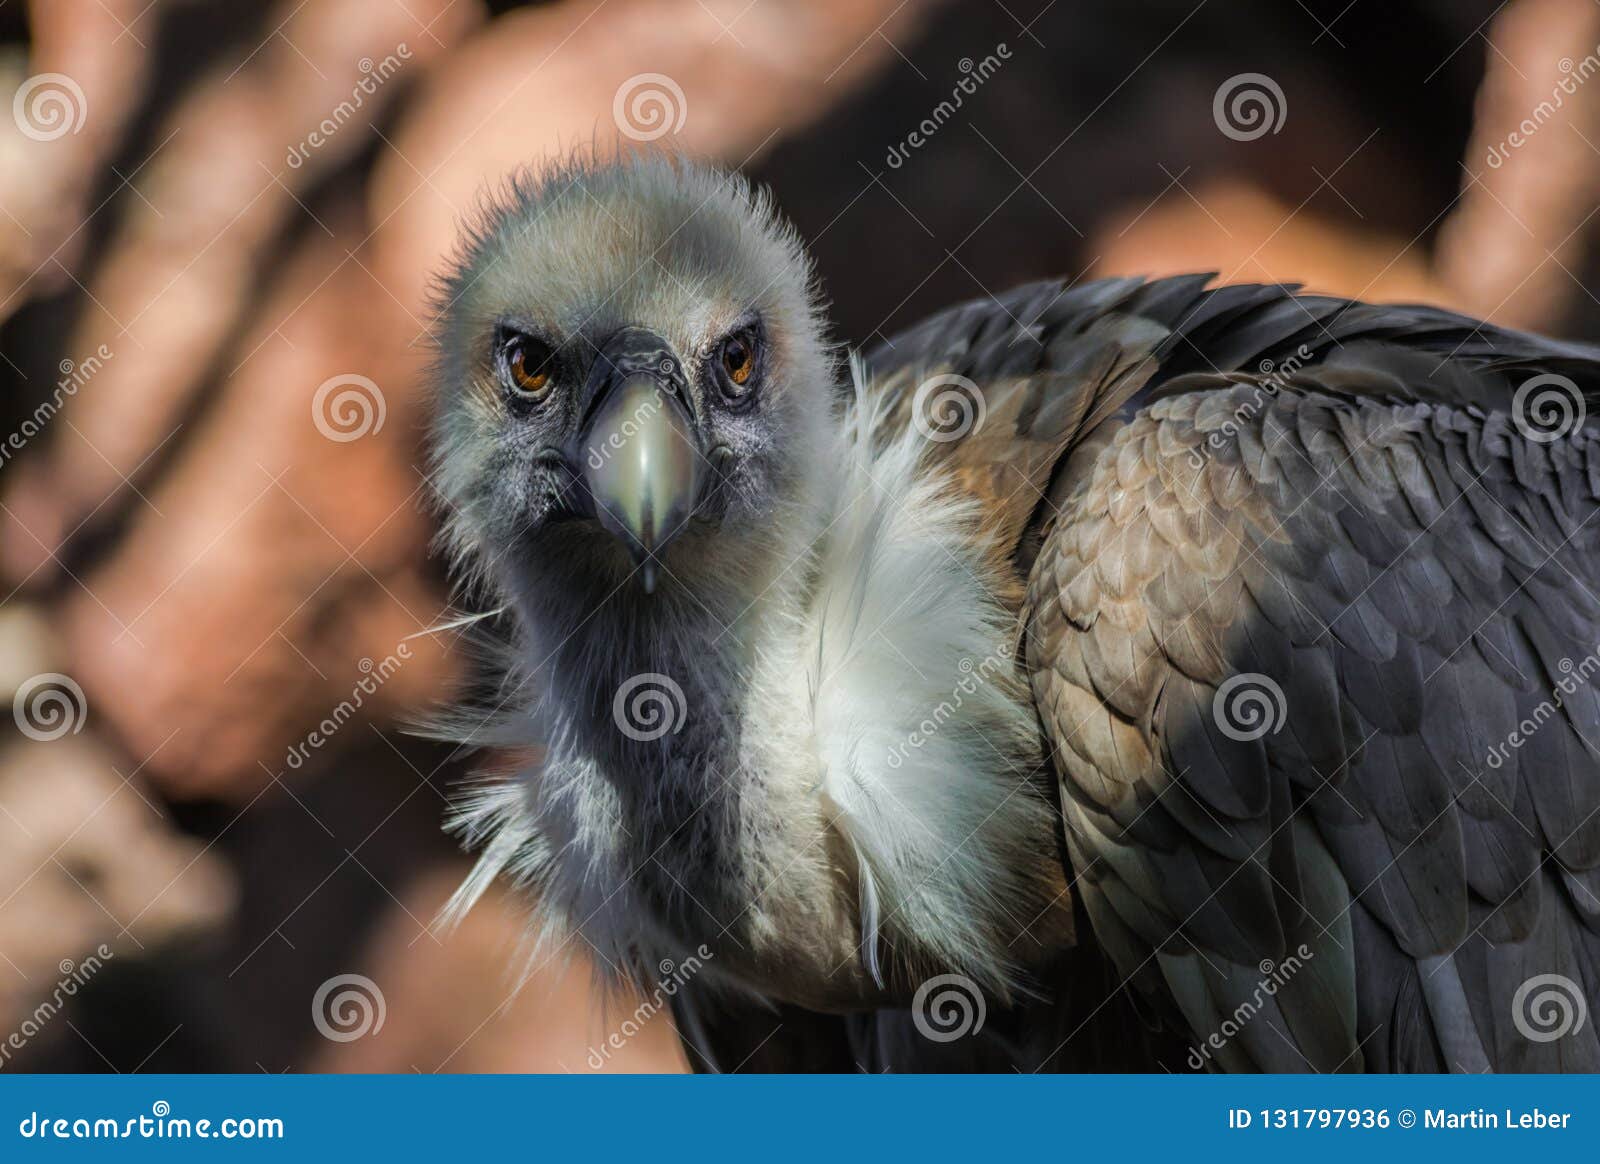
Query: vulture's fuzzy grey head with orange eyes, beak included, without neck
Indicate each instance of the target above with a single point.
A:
(638, 391)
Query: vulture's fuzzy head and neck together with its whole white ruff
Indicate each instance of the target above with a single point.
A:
(732, 608)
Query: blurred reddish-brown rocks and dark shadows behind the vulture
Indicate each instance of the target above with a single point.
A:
(220, 851)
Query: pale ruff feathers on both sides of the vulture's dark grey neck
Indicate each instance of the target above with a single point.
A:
(884, 709)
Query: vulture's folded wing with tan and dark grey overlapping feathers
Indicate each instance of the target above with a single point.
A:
(1313, 632)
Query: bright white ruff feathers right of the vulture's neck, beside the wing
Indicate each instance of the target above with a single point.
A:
(922, 736)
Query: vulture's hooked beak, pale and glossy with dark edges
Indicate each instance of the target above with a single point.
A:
(642, 455)
